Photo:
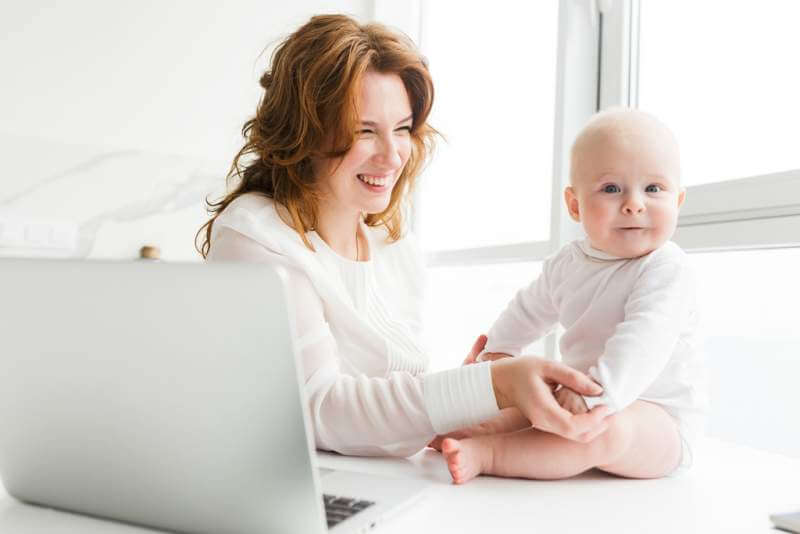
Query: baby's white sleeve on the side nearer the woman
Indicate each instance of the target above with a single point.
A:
(529, 316)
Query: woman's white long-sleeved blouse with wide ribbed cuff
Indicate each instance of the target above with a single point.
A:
(358, 336)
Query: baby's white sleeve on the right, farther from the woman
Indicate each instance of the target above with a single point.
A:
(639, 349)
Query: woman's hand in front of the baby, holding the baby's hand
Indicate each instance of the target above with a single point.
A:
(528, 384)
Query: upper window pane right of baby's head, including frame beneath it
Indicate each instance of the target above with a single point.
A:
(731, 99)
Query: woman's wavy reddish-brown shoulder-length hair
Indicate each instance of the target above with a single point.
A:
(308, 111)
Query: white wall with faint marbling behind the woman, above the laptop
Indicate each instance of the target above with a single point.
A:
(119, 117)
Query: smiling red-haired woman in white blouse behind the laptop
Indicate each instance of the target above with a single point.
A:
(324, 182)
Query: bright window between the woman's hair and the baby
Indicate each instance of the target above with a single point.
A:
(485, 201)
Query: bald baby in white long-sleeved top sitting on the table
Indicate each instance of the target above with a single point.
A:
(625, 297)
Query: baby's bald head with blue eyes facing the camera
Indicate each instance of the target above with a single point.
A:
(625, 182)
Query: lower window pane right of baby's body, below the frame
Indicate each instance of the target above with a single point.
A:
(748, 301)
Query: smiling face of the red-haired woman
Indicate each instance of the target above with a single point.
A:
(363, 179)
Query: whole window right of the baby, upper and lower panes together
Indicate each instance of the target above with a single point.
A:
(731, 99)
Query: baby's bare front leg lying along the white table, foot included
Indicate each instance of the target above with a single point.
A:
(642, 441)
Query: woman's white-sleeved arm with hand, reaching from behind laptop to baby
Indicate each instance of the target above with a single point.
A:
(399, 414)
